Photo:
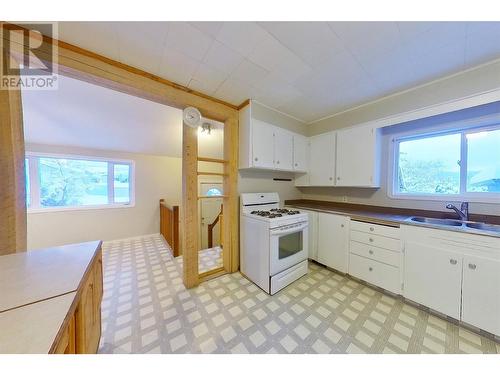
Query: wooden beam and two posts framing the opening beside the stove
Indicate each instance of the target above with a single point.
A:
(78, 63)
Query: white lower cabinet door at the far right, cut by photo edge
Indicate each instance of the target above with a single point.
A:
(481, 293)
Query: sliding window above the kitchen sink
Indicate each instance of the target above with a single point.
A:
(461, 164)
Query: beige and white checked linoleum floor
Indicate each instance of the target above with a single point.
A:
(146, 309)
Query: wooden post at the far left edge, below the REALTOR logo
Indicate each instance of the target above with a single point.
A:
(12, 173)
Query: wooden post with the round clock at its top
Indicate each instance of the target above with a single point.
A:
(190, 240)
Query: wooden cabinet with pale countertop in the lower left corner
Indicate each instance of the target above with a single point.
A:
(67, 321)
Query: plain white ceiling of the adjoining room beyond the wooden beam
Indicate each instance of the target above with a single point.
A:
(80, 114)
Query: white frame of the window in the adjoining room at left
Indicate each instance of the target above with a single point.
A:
(35, 206)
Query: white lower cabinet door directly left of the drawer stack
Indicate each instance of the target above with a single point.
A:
(333, 241)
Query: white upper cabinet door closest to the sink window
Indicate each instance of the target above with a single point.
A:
(357, 157)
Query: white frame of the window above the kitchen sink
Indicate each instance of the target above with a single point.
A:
(463, 195)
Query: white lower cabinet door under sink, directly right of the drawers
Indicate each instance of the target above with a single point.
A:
(433, 278)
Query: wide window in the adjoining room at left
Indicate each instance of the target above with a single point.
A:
(62, 182)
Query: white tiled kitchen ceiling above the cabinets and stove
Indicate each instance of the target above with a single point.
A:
(306, 69)
